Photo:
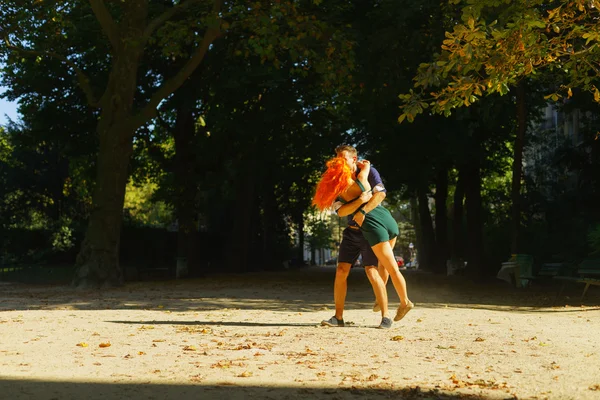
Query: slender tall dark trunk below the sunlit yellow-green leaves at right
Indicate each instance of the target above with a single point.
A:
(518, 167)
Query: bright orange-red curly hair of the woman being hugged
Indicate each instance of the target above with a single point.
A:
(335, 180)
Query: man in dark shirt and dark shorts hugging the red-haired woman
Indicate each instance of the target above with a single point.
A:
(354, 244)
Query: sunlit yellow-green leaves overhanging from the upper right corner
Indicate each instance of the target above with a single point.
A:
(495, 45)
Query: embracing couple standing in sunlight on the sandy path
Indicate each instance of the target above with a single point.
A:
(353, 188)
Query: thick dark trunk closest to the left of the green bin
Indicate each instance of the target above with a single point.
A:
(474, 220)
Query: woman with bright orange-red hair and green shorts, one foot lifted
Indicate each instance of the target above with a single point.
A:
(379, 227)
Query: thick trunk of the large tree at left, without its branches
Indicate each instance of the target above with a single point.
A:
(98, 260)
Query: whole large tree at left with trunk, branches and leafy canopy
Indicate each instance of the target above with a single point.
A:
(68, 31)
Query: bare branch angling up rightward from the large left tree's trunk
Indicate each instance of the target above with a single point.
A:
(173, 83)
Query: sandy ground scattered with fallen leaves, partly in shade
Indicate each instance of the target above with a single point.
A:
(258, 336)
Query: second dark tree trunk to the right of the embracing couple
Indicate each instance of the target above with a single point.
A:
(441, 220)
